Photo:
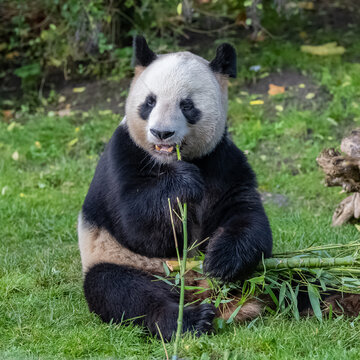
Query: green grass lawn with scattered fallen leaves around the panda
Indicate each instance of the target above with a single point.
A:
(46, 165)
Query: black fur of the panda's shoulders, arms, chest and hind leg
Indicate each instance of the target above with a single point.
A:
(128, 197)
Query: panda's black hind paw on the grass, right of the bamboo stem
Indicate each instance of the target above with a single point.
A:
(199, 319)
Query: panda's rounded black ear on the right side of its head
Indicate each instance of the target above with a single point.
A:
(224, 61)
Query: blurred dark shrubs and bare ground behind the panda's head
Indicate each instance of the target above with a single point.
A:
(47, 44)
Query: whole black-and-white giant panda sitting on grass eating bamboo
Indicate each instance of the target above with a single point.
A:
(124, 228)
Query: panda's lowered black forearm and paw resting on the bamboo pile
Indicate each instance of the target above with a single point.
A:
(243, 236)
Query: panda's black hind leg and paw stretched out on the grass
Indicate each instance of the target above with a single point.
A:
(117, 293)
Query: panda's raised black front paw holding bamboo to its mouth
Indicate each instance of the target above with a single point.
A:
(188, 180)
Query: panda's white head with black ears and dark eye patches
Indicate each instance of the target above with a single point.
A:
(178, 98)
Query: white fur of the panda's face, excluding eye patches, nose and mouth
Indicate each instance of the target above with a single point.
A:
(173, 77)
